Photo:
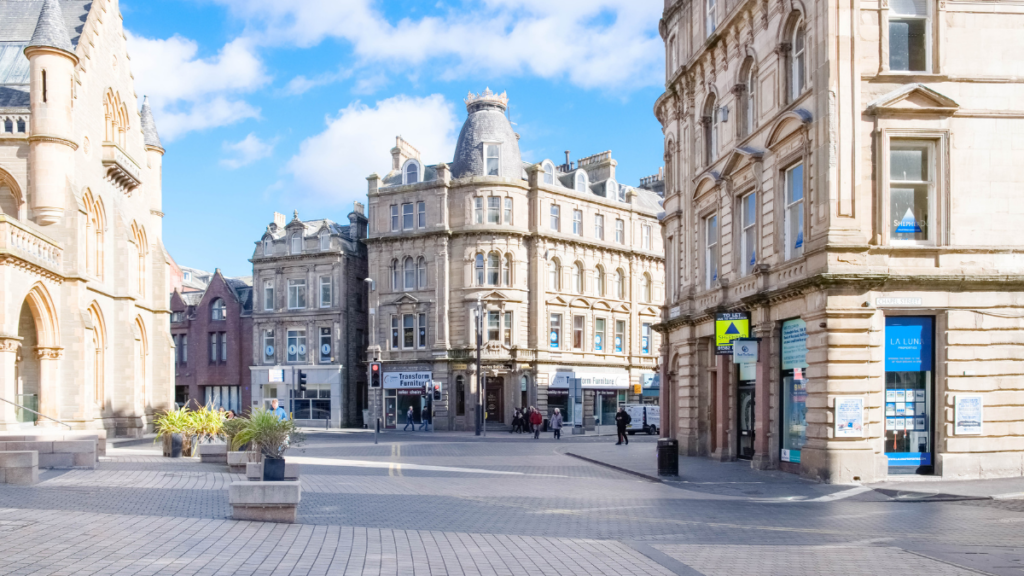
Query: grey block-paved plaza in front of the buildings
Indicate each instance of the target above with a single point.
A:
(452, 504)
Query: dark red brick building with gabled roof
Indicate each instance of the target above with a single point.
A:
(212, 334)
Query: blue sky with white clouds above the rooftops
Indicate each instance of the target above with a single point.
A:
(268, 106)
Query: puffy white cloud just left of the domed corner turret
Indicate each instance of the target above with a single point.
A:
(334, 164)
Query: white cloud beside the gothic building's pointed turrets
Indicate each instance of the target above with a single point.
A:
(191, 94)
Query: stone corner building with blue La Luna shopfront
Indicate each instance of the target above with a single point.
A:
(846, 175)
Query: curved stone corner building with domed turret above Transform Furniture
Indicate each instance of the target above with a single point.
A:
(564, 263)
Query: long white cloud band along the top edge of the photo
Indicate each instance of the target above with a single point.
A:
(609, 45)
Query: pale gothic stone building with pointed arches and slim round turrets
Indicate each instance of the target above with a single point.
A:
(83, 273)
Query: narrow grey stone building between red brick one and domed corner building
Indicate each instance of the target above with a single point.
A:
(310, 318)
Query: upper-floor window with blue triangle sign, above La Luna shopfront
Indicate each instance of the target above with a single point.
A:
(912, 192)
